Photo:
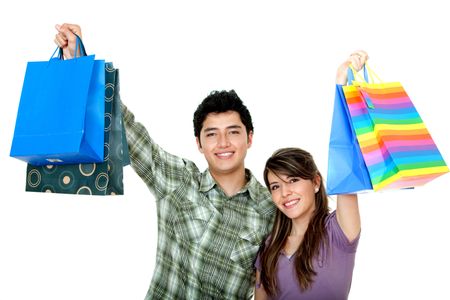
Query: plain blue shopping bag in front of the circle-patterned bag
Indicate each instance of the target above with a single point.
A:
(60, 119)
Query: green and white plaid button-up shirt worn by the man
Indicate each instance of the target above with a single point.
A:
(207, 241)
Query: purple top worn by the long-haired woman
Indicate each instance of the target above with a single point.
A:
(334, 268)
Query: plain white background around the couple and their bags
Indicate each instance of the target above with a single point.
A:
(281, 58)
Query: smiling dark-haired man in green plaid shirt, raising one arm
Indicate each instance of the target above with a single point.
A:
(210, 224)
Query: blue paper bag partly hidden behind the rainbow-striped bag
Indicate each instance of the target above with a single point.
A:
(347, 171)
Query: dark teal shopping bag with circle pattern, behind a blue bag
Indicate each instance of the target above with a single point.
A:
(104, 178)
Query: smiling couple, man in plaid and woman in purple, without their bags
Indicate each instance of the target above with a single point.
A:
(221, 234)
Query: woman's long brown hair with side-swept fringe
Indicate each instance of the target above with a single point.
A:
(299, 163)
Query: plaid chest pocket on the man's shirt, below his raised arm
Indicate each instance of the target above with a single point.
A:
(190, 221)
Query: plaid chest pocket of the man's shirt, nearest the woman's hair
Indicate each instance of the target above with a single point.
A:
(246, 248)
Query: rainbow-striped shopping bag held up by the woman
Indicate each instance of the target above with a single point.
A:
(397, 148)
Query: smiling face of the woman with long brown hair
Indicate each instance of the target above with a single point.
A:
(294, 196)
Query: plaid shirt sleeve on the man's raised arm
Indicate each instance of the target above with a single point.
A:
(160, 170)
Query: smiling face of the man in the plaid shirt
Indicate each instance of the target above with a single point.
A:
(224, 142)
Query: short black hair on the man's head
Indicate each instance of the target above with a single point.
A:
(218, 102)
